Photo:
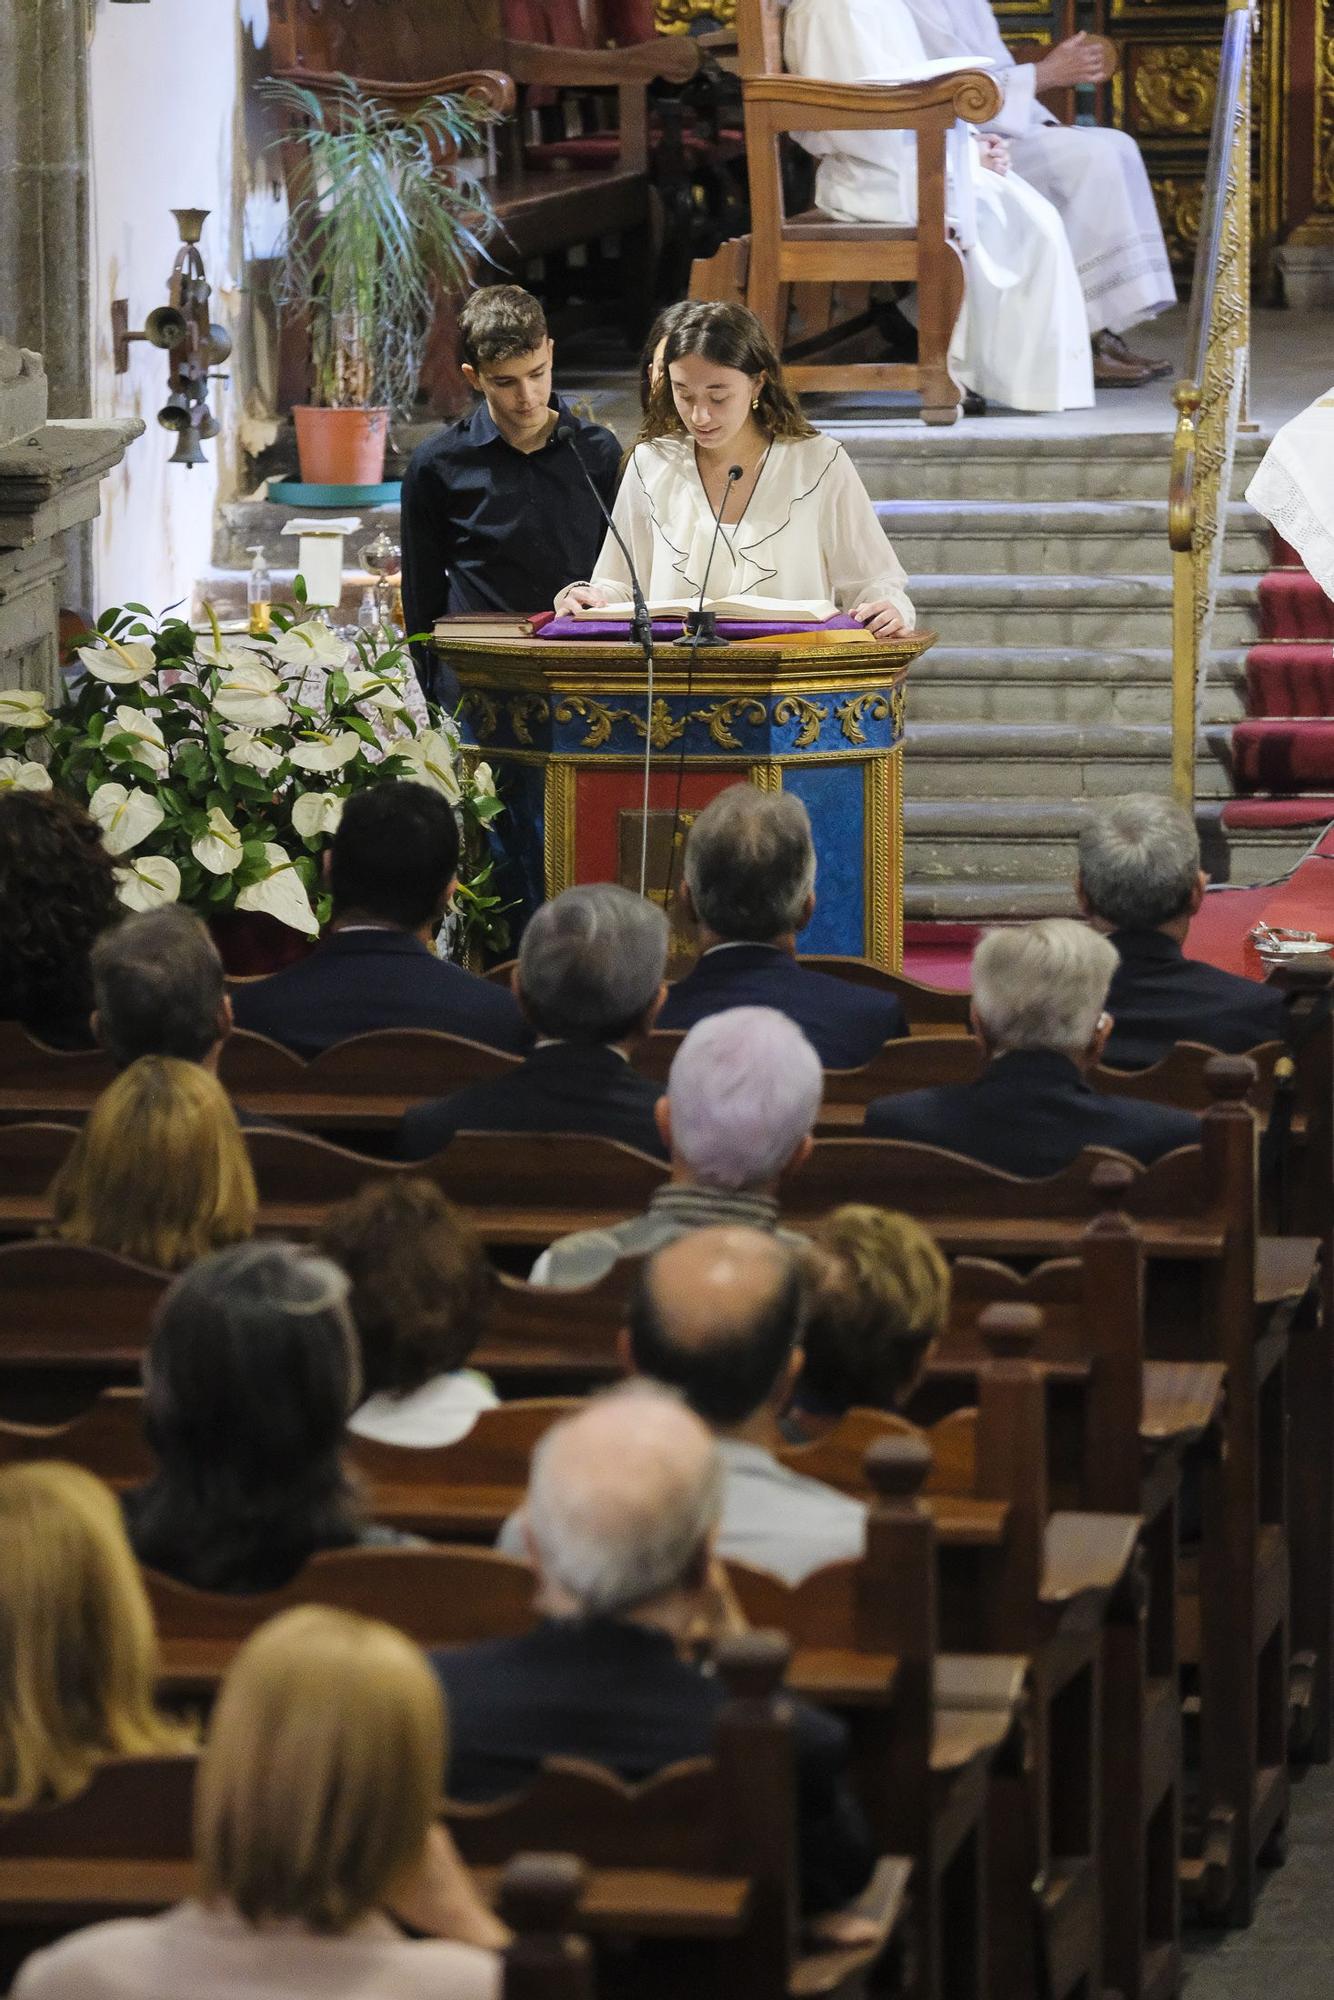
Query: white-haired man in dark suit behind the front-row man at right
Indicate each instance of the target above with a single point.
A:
(1039, 1011)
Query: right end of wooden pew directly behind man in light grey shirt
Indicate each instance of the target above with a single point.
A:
(925, 1729)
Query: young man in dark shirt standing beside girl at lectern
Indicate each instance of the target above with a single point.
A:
(497, 513)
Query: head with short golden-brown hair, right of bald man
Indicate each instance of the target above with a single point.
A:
(877, 1299)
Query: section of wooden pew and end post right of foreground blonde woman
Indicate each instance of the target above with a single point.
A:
(699, 1859)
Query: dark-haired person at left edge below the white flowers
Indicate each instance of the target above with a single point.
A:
(57, 895)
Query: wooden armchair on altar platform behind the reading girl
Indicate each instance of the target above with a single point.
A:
(813, 249)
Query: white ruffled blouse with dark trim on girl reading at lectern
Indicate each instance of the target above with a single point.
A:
(807, 533)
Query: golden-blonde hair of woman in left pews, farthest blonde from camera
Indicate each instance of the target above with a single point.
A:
(161, 1171)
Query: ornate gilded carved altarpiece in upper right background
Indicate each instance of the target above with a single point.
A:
(1165, 97)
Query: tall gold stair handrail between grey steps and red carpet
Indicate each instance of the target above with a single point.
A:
(1213, 395)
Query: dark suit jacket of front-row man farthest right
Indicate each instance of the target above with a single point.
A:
(1161, 997)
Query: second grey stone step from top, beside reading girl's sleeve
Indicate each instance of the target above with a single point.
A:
(1091, 539)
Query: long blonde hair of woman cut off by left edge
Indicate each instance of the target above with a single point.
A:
(79, 1655)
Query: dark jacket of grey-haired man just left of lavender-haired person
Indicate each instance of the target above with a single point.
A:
(563, 1087)
